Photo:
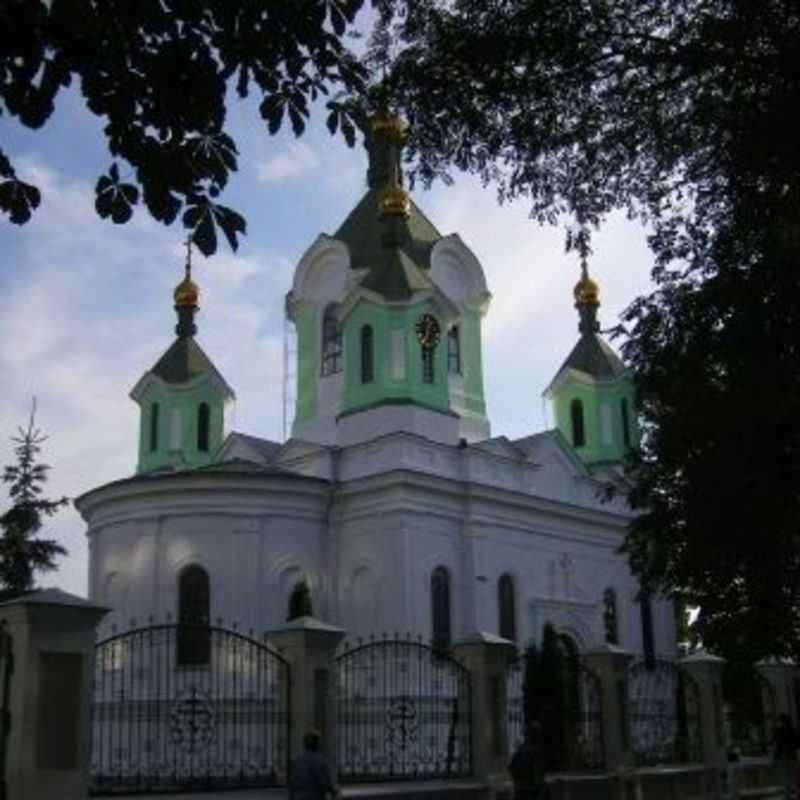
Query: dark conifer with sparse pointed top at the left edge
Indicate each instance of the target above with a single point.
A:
(22, 554)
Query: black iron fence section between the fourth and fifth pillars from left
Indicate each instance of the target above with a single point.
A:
(664, 714)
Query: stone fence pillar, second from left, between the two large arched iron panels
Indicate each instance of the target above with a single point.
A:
(309, 644)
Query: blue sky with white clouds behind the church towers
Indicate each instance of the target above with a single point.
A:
(86, 305)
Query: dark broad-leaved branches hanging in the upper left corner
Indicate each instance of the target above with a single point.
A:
(158, 72)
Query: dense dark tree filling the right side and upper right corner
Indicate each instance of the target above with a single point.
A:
(677, 112)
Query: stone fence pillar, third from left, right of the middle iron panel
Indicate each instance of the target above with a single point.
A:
(487, 656)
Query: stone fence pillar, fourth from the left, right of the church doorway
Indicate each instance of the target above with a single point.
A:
(610, 664)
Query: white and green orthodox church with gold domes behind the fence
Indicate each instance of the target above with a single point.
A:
(391, 499)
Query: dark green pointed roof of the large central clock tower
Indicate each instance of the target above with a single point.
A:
(393, 276)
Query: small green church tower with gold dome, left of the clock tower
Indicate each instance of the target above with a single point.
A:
(184, 402)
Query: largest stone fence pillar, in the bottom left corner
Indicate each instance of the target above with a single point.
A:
(51, 645)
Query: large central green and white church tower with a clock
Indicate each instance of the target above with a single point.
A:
(388, 315)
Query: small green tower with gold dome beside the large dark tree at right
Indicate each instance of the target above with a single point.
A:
(592, 395)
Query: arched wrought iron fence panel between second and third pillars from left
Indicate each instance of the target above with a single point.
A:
(403, 712)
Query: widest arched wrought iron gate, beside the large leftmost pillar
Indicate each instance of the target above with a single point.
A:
(187, 707)
